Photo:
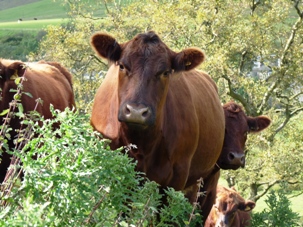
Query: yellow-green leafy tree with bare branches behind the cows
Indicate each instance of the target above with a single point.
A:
(237, 37)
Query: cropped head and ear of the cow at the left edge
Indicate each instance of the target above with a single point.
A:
(10, 70)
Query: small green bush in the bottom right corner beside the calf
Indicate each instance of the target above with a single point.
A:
(278, 212)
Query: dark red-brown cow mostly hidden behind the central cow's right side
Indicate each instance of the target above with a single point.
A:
(237, 126)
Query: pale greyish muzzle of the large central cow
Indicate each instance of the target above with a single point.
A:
(135, 114)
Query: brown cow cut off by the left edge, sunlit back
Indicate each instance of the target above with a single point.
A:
(46, 80)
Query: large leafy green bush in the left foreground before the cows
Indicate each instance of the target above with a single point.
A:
(75, 179)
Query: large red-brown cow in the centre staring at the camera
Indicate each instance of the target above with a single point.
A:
(153, 97)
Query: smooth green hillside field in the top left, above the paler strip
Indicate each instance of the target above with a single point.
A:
(43, 9)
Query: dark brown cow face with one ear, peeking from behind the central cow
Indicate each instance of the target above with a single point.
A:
(237, 126)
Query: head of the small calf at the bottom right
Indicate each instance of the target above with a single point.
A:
(228, 203)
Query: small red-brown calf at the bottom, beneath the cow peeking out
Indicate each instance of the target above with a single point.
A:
(230, 209)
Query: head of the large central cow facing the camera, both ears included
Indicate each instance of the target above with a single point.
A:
(145, 65)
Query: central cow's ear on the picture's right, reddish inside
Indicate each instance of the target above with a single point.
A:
(188, 59)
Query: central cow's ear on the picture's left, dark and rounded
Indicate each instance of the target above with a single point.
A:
(106, 46)
